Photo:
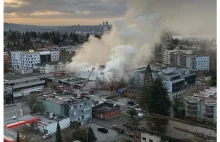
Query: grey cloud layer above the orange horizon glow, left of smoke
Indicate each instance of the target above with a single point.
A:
(66, 8)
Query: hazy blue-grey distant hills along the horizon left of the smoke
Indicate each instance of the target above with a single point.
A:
(61, 29)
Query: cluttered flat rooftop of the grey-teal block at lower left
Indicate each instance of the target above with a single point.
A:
(63, 97)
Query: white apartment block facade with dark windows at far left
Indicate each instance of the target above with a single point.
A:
(24, 60)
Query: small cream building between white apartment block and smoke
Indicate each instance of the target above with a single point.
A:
(51, 67)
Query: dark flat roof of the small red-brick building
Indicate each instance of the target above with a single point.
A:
(105, 108)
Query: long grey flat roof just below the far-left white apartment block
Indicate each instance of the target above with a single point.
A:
(14, 76)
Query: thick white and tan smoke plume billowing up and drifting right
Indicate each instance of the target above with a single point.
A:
(132, 37)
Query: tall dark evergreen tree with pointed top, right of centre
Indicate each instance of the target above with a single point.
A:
(157, 98)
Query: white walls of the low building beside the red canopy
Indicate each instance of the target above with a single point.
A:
(51, 127)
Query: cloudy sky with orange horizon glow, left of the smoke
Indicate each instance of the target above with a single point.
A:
(63, 12)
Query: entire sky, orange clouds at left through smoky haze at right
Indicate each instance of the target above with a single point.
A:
(186, 14)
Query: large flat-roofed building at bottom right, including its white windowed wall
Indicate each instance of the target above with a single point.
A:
(159, 128)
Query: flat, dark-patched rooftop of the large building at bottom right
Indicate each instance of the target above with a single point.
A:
(174, 129)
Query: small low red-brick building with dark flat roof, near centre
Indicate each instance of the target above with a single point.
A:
(106, 111)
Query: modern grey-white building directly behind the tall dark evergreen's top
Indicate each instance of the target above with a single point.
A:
(176, 79)
